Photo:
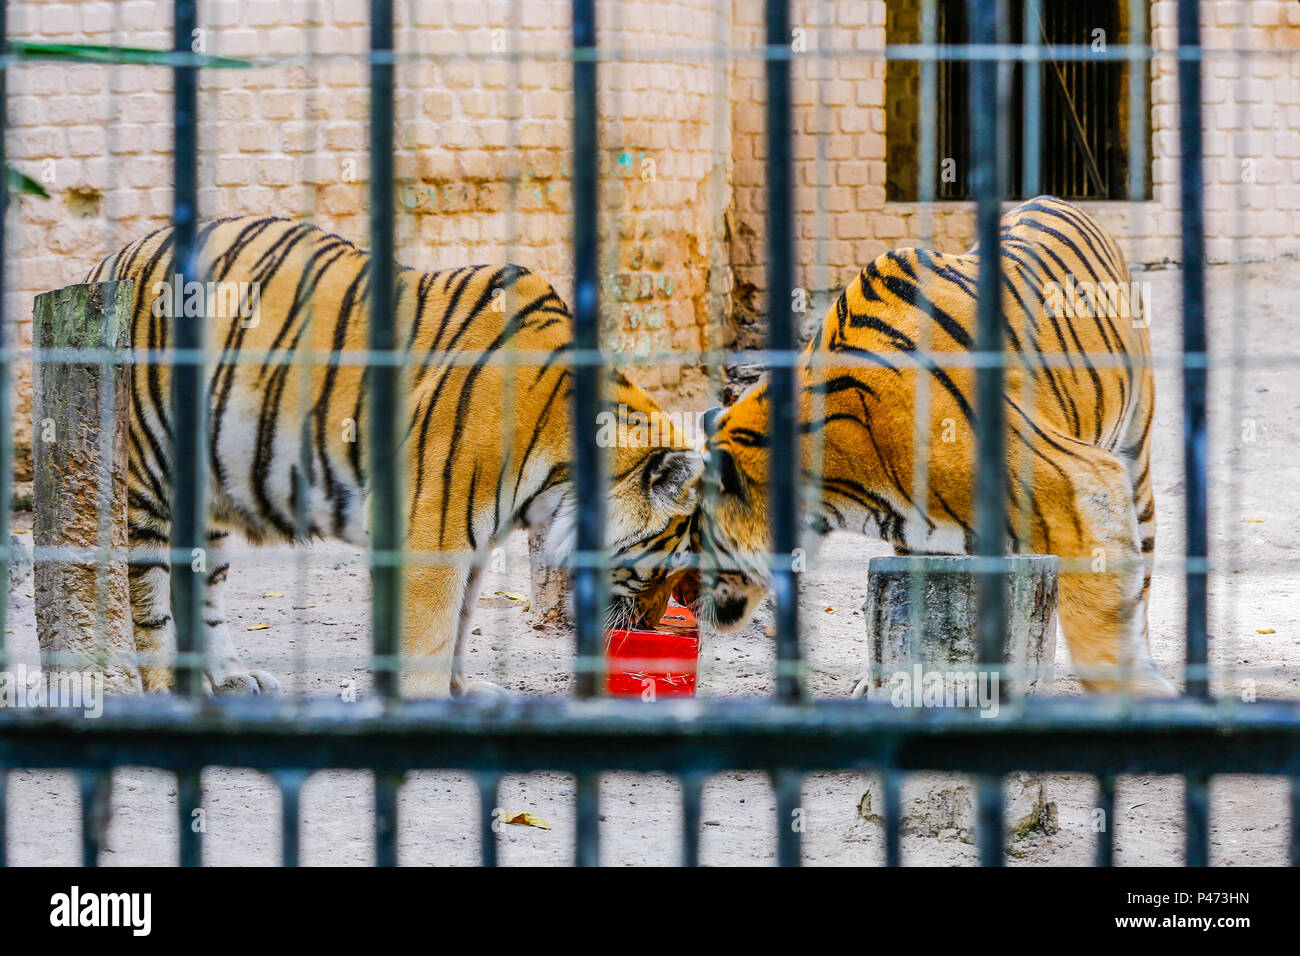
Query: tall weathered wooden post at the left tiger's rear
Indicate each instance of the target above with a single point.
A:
(80, 436)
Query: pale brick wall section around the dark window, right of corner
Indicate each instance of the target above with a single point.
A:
(1251, 116)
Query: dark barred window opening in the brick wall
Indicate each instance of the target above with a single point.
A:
(1084, 137)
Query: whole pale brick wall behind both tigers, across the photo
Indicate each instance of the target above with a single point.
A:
(291, 139)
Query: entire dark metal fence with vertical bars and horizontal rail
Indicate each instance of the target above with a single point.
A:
(788, 737)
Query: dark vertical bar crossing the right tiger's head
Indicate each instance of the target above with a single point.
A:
(783, 344)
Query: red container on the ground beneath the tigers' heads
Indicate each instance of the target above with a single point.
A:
(664, 660)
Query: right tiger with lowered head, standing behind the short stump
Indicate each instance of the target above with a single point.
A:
(1078, 448)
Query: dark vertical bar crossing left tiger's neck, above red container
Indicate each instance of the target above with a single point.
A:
(588, 581)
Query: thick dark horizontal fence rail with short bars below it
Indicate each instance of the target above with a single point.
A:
(694, 739)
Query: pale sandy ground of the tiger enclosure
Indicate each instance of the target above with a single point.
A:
(318, 642)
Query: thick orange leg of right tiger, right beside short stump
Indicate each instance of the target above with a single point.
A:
(1087, 518)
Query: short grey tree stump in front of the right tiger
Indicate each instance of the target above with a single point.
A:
(931, 661)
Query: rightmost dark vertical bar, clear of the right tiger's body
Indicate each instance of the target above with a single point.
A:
(1195, 371)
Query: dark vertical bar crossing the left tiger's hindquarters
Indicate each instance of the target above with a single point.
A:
(189, 418)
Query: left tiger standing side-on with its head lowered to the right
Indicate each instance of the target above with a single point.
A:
(486, 427)
